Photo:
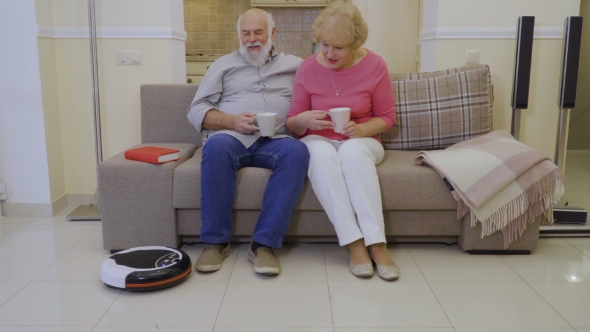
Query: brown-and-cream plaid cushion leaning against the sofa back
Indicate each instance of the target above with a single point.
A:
(438, 109)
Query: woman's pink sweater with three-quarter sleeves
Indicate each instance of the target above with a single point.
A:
(368, 92)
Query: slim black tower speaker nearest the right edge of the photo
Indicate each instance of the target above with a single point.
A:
(572, 39)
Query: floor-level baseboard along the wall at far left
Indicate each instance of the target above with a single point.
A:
(46, 209)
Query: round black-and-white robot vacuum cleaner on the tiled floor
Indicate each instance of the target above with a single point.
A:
(145, 268)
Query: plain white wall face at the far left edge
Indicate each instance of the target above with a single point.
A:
(23, 154)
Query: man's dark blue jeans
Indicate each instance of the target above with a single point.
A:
(223, 155)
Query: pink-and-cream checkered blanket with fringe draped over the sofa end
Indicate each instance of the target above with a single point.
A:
(501, 182)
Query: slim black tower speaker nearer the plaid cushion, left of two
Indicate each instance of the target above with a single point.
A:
(522, 66)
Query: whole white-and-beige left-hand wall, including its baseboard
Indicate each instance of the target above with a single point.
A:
(46, 122)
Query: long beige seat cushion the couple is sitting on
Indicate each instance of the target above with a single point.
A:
(404, 186)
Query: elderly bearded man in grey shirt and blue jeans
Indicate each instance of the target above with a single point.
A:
(236, 87)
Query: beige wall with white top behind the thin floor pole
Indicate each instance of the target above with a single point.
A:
(144, 25)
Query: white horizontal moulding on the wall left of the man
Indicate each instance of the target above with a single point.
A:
(113, 33)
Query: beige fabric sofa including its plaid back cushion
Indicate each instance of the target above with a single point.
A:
(146, 204)
